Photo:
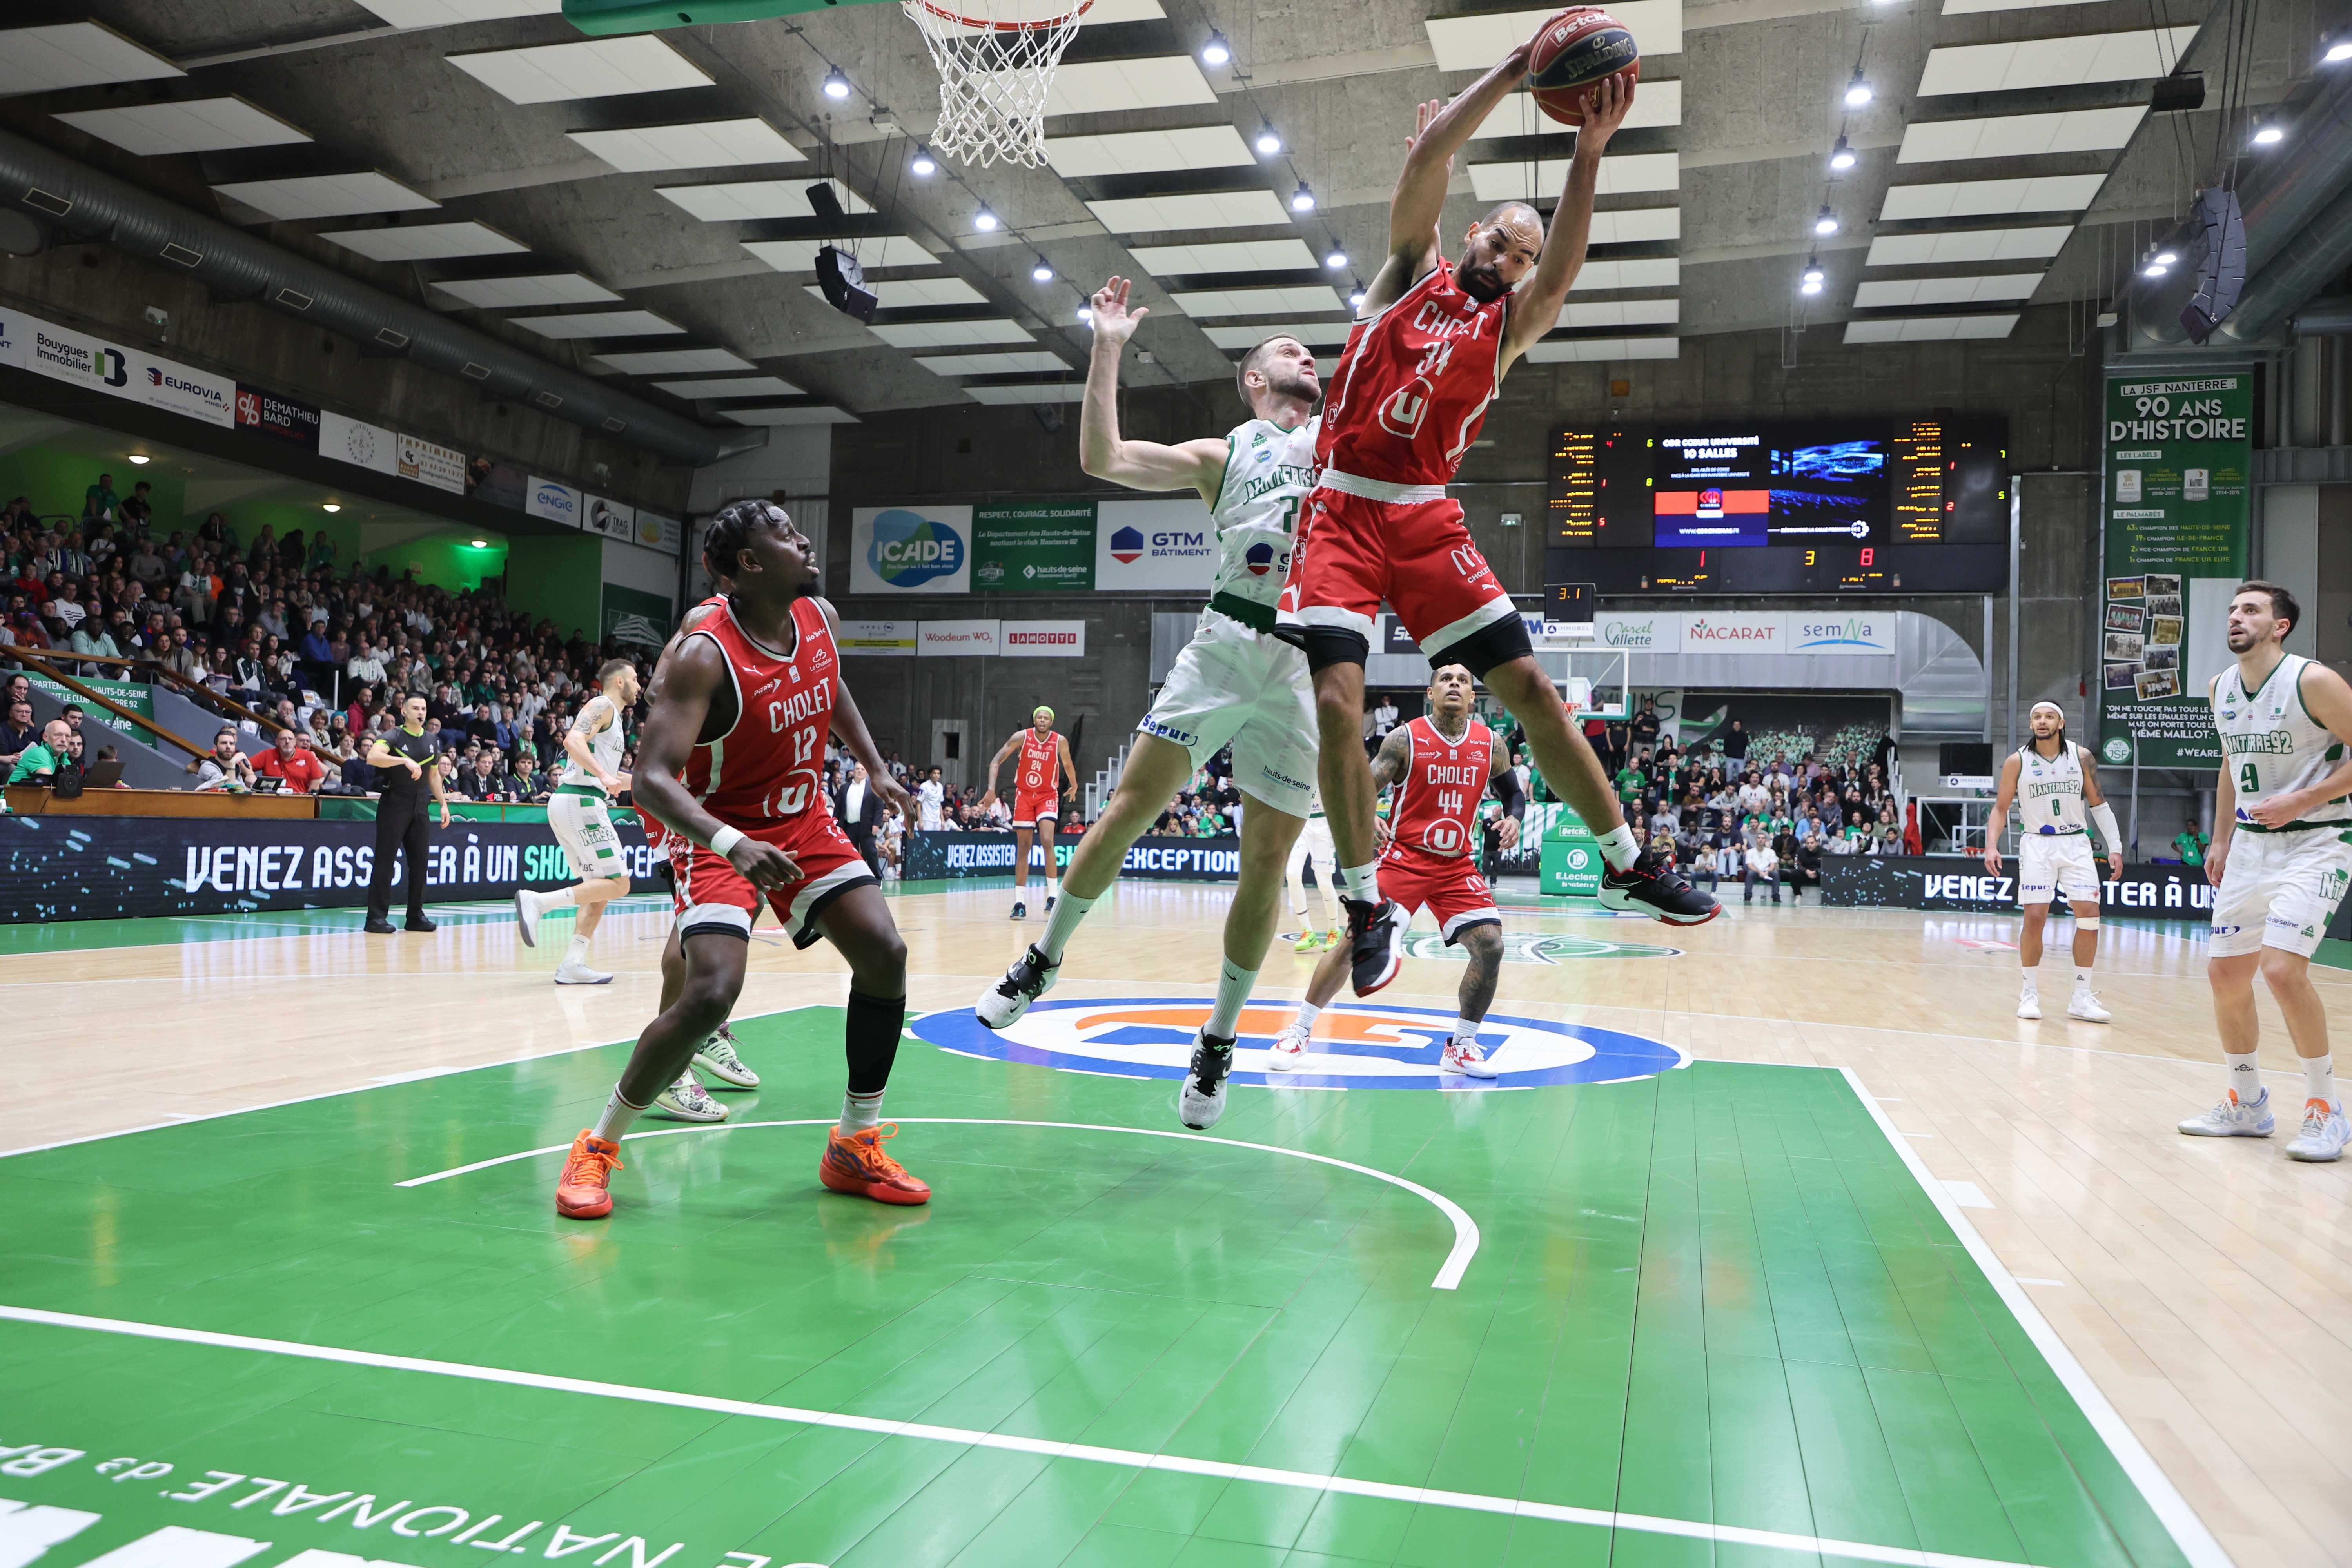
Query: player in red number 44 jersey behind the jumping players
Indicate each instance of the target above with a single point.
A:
(1441, 768)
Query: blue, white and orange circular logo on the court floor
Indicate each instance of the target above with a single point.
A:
(1356, 1045)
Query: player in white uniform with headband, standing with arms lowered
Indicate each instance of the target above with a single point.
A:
(2054, 784)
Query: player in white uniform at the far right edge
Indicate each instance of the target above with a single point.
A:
(2280, 864)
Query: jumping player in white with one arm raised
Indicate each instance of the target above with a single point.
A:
(1236, 683)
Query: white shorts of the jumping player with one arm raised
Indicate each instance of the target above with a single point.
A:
(1234, 685)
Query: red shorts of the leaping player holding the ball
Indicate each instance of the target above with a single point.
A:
(1415, 554)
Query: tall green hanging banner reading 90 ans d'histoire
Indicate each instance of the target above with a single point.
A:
(2179, 457)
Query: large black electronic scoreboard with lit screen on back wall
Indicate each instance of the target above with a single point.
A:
(1789, 507)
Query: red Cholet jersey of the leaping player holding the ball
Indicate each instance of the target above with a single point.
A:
(1415, 384)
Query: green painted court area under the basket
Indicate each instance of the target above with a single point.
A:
(1711, 1318)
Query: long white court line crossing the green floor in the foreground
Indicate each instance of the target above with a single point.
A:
(1003, 1442)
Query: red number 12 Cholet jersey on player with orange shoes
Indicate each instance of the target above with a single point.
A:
(770, 768)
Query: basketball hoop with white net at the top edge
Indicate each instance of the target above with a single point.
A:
(996, 69)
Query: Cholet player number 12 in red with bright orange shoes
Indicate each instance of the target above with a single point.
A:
(733, 763)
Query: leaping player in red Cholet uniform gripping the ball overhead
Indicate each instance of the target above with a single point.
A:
(1424, 361)
